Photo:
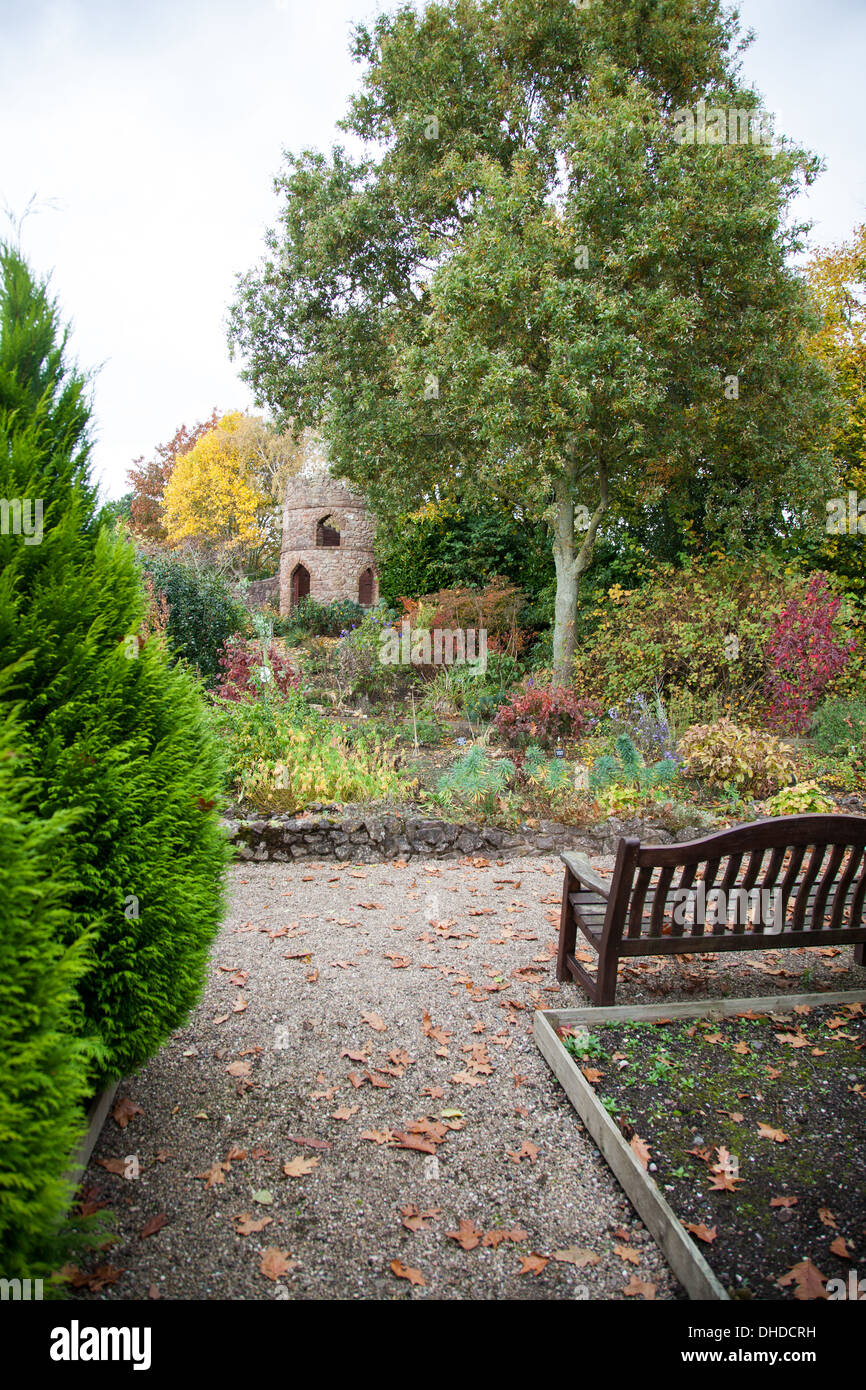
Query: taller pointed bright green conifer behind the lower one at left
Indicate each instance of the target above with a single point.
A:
(117, 736)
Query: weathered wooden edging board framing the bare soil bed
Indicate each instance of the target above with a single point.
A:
(655, 1211)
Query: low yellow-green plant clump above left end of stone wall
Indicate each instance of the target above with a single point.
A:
(320, 767)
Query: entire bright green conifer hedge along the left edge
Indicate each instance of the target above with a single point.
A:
(111, 780)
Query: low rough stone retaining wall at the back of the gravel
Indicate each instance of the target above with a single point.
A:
(373, 839)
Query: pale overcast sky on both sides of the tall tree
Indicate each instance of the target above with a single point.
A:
(151, 133)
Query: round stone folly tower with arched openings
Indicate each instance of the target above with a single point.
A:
(327, 544)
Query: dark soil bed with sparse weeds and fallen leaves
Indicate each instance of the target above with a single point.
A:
(754, 1129)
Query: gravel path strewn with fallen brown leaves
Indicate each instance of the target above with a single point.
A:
(386, 1000)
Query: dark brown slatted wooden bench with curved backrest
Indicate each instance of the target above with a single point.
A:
(811, 869)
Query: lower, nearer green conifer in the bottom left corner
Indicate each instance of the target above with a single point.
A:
(44, 1065)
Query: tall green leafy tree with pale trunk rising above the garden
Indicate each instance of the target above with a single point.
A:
(532, 286)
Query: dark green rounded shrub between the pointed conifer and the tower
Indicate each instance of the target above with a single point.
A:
(202, 612)
